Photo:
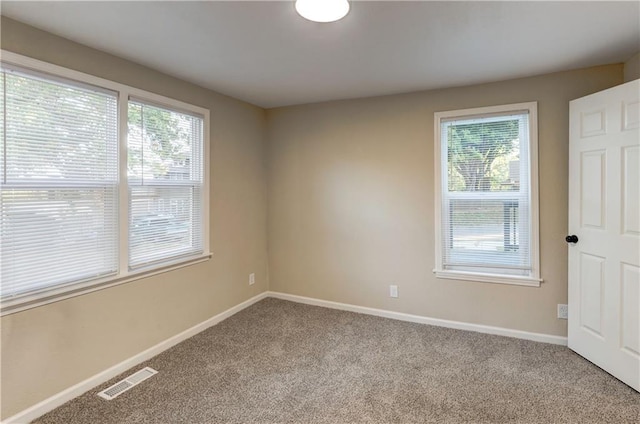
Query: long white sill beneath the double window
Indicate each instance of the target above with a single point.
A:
(28, 301)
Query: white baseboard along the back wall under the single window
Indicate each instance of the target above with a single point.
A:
(500, 331)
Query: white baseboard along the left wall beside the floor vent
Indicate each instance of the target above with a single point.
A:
(58, 399)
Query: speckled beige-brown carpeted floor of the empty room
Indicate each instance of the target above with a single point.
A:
(282, 362)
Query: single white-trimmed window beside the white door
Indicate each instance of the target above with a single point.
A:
(487, 199)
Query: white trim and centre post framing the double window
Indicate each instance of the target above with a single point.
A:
(125, 92)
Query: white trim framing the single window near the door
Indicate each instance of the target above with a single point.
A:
(534, 278)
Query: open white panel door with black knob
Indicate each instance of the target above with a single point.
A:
(604, 215)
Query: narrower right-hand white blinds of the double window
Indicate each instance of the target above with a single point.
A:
(165, 173)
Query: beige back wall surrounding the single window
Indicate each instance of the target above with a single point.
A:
(351, 202)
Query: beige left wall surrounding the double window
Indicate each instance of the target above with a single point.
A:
(50, 348)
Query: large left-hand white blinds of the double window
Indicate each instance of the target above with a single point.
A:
(58, 168)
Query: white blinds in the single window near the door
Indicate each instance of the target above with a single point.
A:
(486, 199)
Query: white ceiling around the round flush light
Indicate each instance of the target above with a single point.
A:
(264, 53)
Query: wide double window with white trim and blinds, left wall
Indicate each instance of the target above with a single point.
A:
(100, 183)
